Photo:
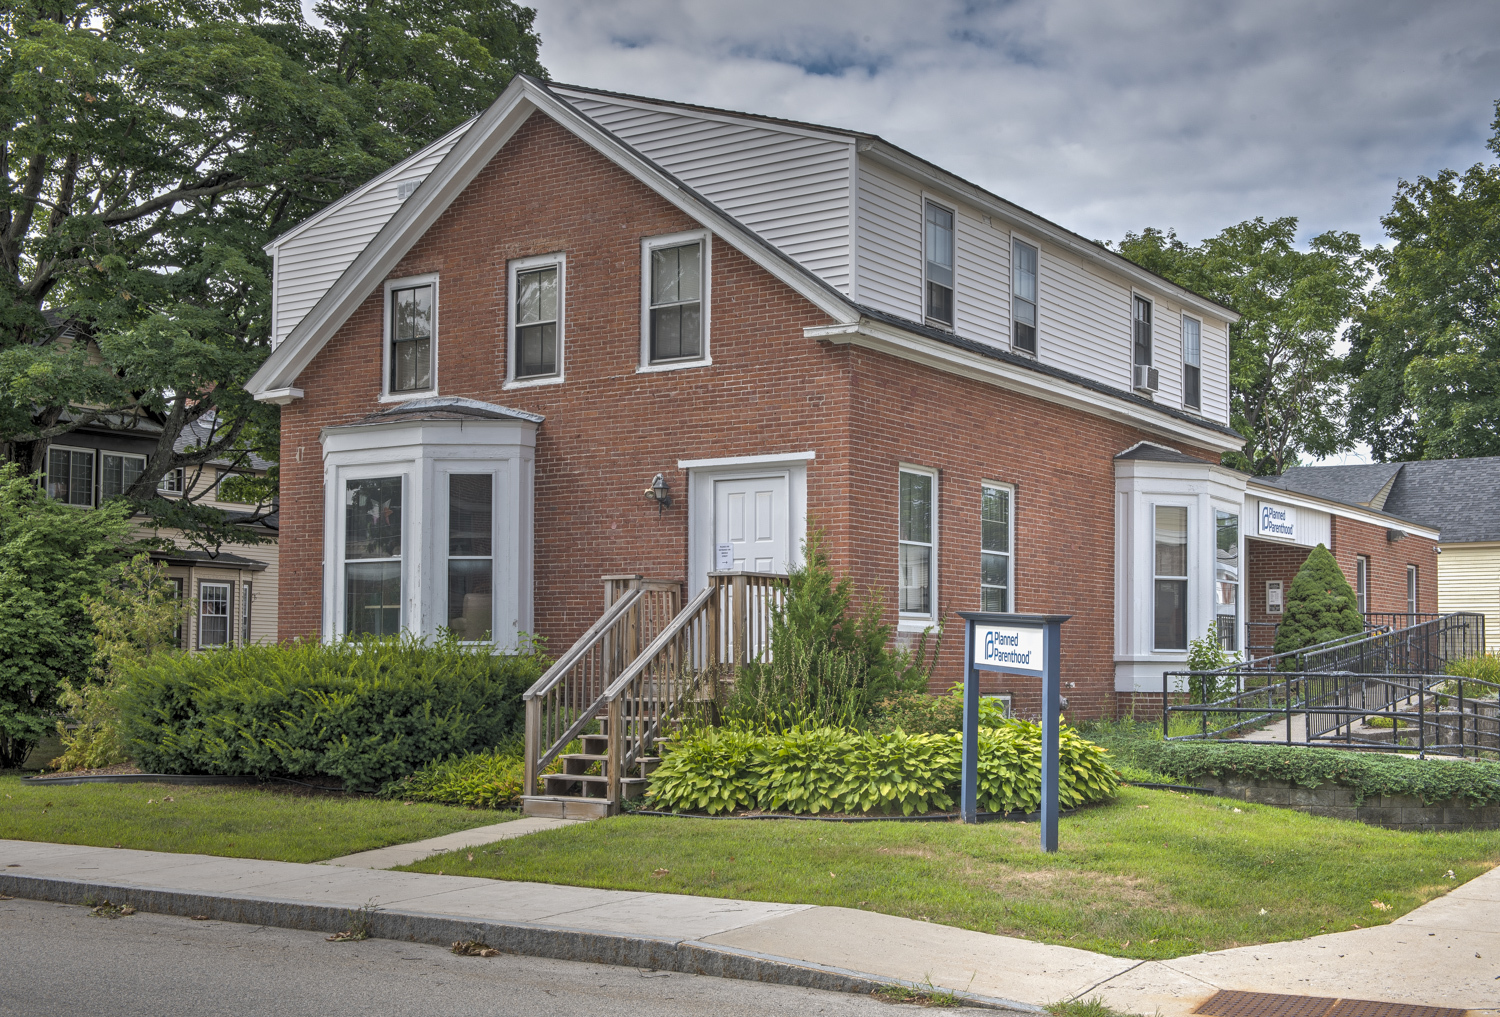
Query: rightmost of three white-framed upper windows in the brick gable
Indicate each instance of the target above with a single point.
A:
(676, 295)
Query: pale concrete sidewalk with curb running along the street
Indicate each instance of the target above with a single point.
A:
(1442, 955)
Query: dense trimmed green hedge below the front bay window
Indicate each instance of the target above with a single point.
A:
(362, 712)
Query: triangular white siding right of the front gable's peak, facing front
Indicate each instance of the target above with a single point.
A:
(787, 185)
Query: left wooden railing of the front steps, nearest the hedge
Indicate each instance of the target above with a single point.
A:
(571, 694)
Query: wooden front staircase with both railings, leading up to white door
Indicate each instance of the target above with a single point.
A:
(724, 628)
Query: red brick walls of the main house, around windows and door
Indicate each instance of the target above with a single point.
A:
(608, 430)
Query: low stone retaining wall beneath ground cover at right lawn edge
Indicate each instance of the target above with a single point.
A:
(1396, 812)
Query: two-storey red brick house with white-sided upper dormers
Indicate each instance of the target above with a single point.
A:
(488, 353)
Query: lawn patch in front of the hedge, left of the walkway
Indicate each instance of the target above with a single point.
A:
(241, 823)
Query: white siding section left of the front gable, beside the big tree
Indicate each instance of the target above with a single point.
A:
(314, 256)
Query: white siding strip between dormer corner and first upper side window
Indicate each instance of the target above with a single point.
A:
(890, 244)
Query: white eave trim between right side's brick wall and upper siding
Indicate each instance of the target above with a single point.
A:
(875, 335)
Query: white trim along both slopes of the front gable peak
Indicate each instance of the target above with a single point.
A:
(469, 157)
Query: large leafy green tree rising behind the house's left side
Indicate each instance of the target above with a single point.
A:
(151, 151)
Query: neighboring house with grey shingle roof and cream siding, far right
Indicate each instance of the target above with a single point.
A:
(1459, 497)
